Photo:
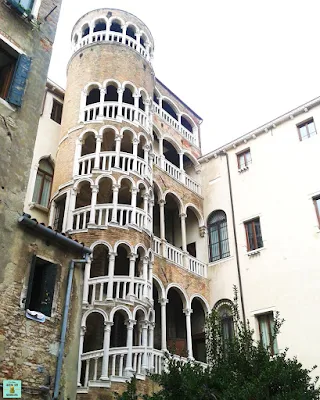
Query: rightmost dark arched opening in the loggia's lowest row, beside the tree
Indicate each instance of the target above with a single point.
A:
(198, 330)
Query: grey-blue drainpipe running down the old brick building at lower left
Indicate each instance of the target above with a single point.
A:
(64, 325)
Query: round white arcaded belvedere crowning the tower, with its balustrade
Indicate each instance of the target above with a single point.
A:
(113, 25)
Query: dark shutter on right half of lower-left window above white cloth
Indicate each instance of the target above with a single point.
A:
(47, 290)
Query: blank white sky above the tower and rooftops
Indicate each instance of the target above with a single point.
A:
(238, 64)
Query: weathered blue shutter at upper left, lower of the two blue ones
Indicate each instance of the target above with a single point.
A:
(19, 80)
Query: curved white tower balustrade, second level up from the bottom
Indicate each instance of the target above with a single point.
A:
(120, 290)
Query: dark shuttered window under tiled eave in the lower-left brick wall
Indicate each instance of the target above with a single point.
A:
(41, 286)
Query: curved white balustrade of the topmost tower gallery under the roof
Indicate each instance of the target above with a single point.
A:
(109, 36)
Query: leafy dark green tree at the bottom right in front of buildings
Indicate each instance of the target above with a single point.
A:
(238, 369)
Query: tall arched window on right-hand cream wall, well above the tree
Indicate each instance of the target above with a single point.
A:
(218, 236)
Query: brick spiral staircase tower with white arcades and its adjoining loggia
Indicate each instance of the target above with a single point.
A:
(126, 183)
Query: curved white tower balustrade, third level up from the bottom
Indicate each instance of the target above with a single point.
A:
(125, 215)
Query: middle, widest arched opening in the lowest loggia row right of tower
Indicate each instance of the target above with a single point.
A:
(176, 324)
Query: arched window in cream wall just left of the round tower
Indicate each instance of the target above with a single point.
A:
(42, 188)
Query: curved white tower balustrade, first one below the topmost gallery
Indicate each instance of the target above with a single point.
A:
(112, 110)
